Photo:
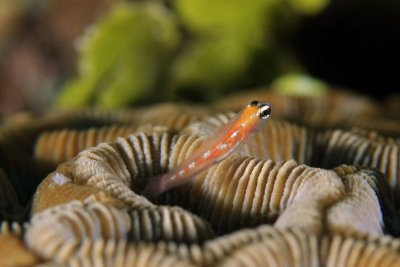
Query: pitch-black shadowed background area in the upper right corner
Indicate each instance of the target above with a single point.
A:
(355, 44)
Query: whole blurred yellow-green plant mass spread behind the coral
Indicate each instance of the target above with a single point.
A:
(149, 51)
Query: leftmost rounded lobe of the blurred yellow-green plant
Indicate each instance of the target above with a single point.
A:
(123, 56)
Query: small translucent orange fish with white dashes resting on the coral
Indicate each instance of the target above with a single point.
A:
(213, 150)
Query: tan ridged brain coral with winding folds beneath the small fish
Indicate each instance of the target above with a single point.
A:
(315, 186)
